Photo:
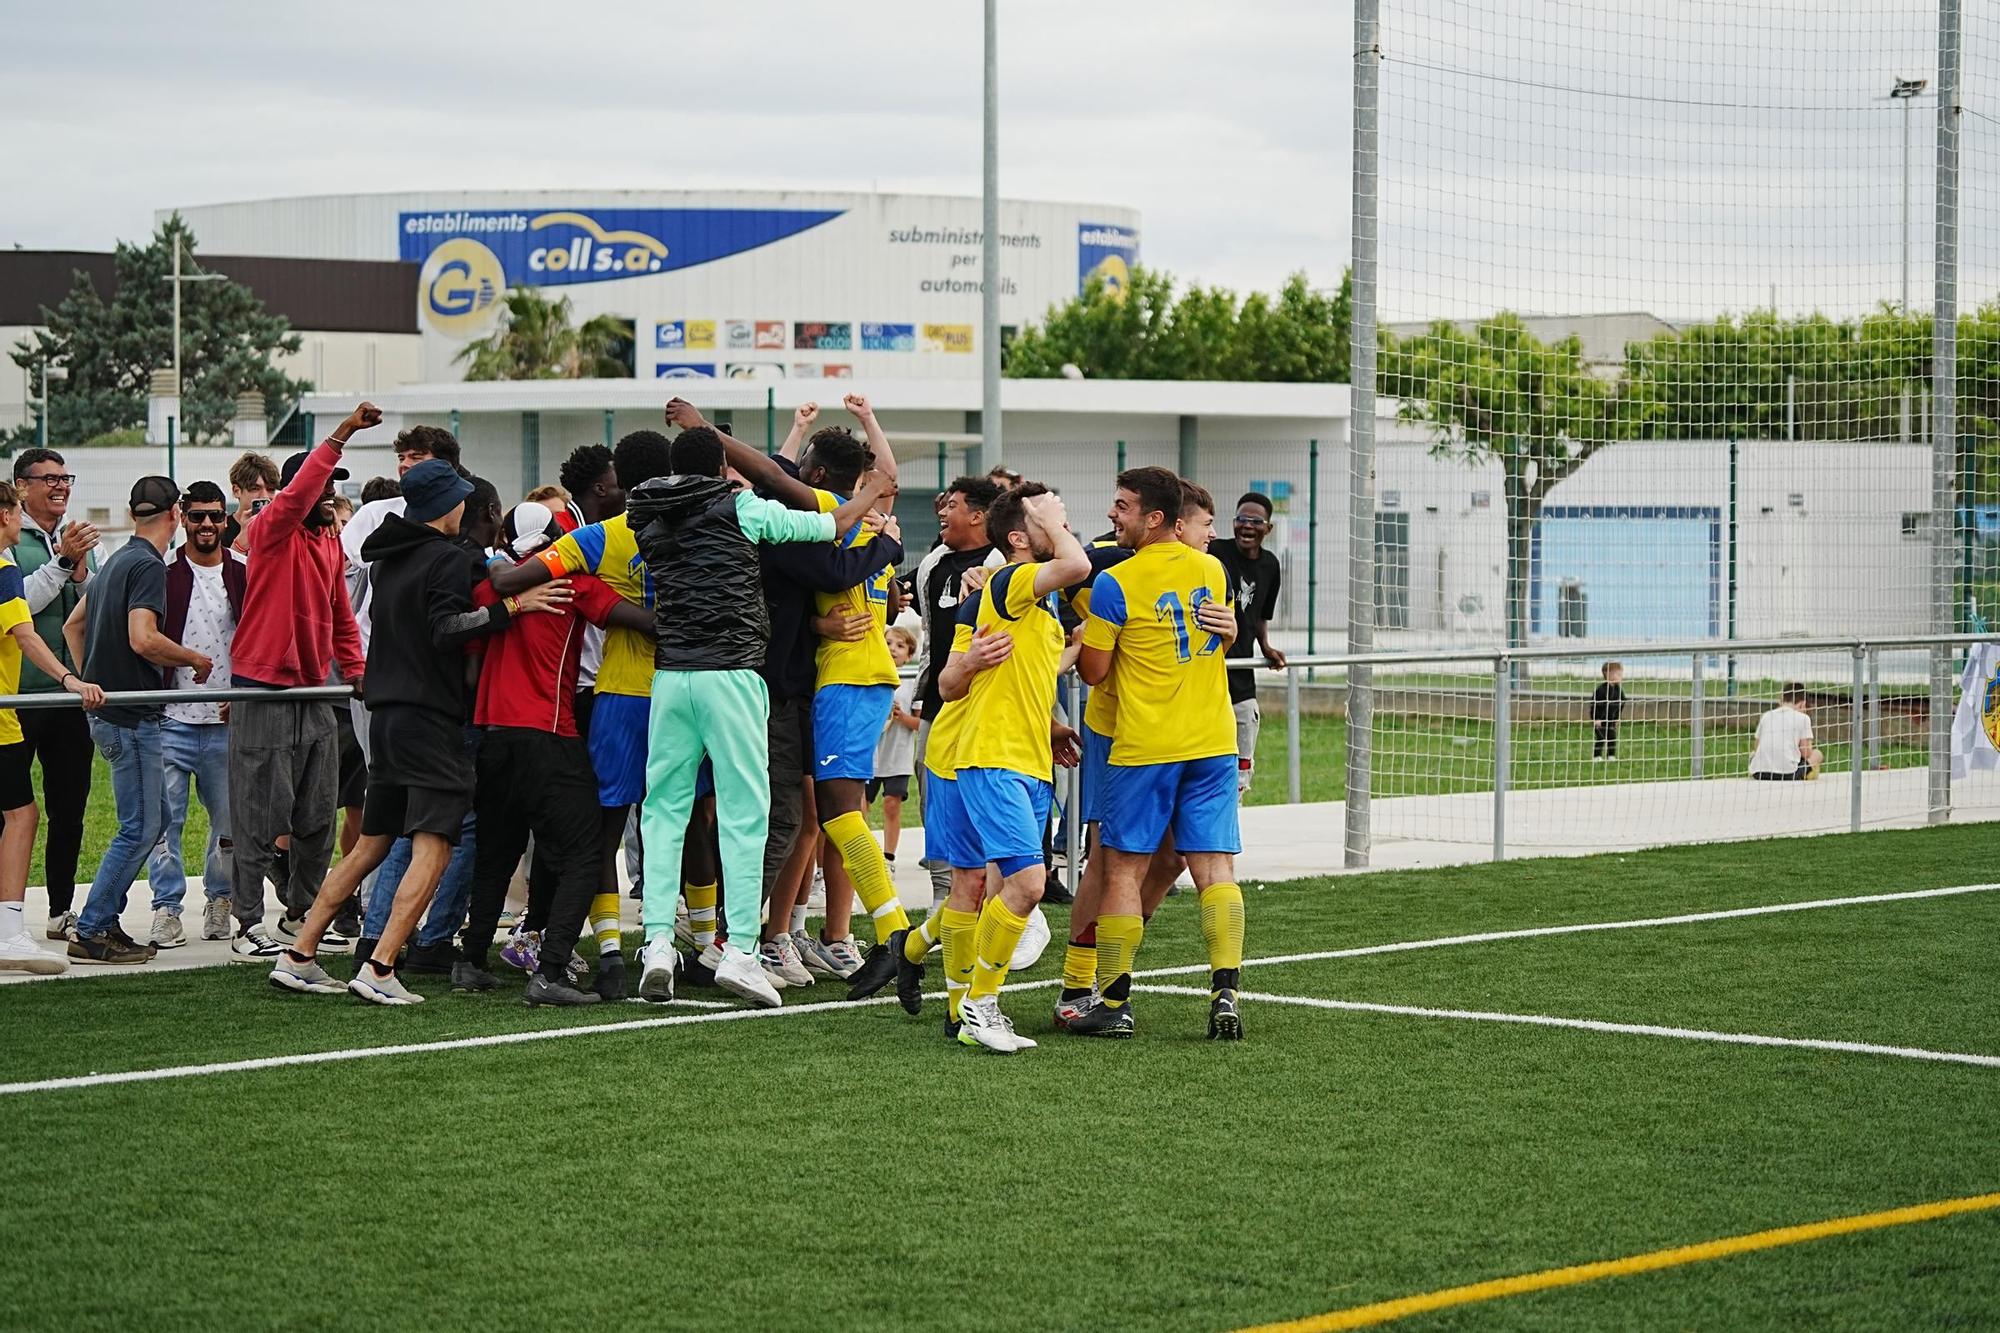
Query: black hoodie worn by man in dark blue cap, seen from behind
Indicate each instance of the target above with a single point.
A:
(423, 617)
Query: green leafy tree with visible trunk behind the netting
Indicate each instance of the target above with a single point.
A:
(1499, 393)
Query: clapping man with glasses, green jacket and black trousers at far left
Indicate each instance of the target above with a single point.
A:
(57, 561)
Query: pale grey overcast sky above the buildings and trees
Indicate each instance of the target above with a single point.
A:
(1541, 155)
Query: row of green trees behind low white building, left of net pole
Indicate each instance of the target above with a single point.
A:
(1205, 333)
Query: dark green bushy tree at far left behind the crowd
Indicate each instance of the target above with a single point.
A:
(113, 347)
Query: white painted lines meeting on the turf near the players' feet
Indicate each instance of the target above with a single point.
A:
(731, 1016)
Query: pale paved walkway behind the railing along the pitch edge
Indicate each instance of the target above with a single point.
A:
(1293, 842)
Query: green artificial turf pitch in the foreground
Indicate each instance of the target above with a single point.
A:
(851, 1170)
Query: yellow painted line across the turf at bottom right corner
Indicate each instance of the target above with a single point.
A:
(1403, 1308)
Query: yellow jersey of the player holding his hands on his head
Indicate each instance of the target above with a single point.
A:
(1007, 726)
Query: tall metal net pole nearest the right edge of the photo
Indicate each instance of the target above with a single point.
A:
(1945, 385)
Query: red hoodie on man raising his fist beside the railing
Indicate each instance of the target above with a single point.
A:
(297, 619)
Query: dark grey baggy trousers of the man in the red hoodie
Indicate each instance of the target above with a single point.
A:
(285, 778)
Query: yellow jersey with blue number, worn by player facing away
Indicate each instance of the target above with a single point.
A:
(1167, 672)
